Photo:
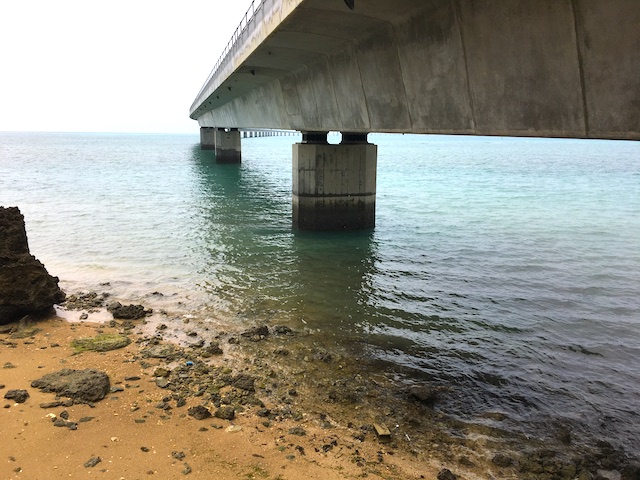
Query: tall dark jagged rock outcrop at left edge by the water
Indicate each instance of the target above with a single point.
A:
(25, 285)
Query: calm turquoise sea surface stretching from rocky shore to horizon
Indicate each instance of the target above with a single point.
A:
(507, 268)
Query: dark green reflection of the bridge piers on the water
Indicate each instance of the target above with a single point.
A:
(259, 268)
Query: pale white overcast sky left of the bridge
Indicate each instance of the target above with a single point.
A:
(117, 66)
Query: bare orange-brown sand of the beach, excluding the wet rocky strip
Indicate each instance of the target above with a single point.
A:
(138, 430)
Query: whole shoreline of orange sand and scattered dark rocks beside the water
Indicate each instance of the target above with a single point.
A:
(309, 411)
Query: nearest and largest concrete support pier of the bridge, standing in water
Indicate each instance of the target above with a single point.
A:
(334, 186)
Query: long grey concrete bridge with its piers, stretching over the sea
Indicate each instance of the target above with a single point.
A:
(547, 68)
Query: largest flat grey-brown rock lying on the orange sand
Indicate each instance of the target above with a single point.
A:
(83, 386)
